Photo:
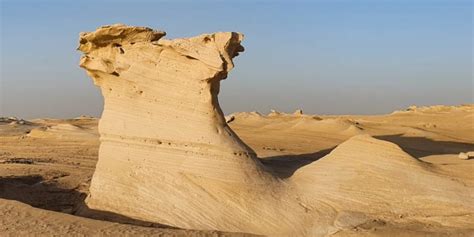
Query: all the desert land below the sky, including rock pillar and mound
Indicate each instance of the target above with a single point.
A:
(163, 160)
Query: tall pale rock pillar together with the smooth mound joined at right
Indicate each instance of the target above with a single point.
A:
(167, 154)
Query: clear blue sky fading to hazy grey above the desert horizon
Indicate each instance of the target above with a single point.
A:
(326, 57)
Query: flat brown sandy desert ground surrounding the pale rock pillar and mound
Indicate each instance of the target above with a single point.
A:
(46, 166)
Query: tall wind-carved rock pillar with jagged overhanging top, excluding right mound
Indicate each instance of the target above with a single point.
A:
(167, 154)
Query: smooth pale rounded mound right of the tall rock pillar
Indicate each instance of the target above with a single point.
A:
(381, 175)
